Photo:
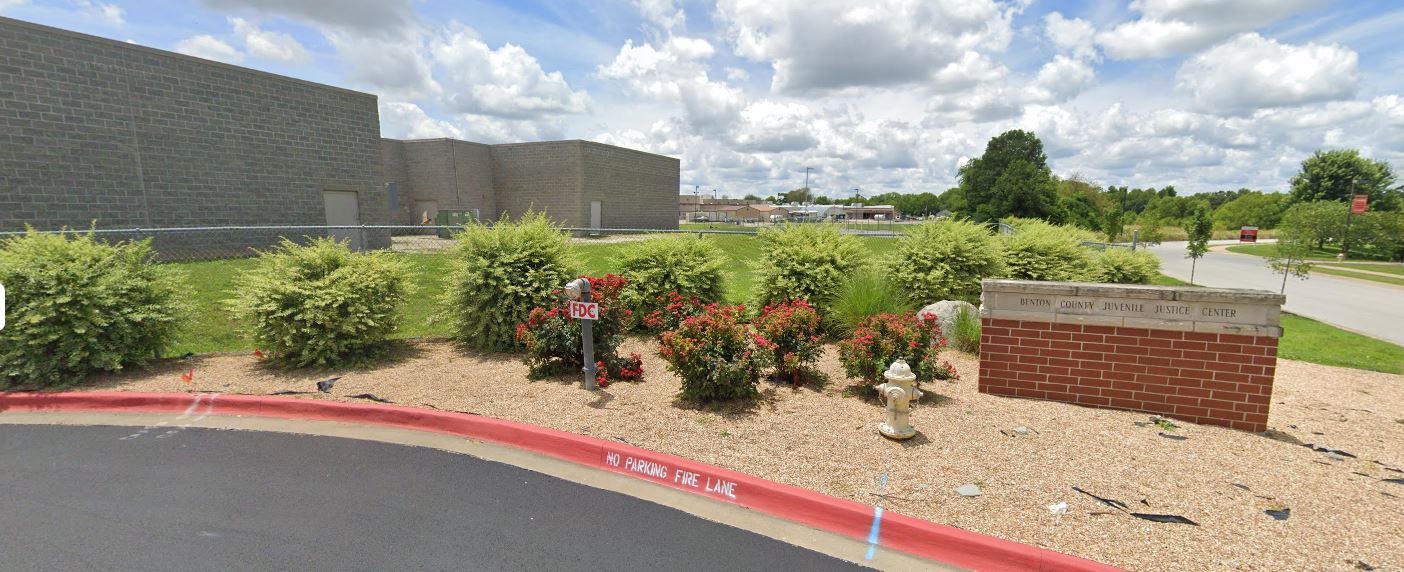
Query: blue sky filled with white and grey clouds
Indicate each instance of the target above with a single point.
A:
(871, 96)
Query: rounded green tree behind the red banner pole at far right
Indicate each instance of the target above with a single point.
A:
(1337, 175)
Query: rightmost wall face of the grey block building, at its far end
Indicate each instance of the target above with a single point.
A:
(635, 189)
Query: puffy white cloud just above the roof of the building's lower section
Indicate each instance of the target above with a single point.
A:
(506, 82)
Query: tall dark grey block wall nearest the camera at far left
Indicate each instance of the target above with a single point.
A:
(137, 137)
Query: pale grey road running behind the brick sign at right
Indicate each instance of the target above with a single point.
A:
(1374, 310)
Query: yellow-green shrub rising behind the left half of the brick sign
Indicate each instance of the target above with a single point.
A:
(1040, 251)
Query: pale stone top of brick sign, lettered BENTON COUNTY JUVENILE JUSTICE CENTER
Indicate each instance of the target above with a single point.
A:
(1250, 313)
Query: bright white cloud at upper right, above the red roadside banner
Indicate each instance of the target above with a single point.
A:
(1253, 72)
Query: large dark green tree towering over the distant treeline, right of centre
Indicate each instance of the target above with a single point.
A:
(1012, 179)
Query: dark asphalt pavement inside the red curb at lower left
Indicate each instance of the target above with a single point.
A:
(84, 498)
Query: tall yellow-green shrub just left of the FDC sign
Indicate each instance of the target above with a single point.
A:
(501, 275)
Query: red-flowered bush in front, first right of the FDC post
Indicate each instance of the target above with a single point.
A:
(715, 353)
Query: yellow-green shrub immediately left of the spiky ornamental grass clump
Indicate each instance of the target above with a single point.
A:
(807, 262)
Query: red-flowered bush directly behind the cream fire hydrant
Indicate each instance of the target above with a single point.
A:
(885, 338)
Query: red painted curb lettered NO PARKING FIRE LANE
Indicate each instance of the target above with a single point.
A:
(925, 539)
